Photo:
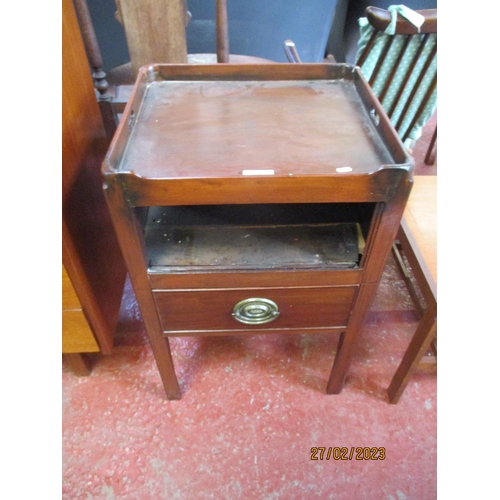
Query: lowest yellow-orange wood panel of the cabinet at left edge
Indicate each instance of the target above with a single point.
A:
(76, 333)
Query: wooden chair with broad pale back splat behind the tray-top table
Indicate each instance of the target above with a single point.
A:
(142, 26)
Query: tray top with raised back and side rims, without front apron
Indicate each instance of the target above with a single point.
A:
(221, 124)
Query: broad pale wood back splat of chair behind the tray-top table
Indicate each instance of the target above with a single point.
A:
(155, 31)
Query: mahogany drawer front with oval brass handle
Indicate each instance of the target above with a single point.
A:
(214, 310)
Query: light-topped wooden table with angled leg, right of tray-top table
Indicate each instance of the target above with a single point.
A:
(418, 240)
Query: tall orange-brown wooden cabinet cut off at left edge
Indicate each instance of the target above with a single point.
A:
(93, 268)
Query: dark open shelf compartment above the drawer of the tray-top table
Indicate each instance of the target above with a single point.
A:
(274, 236)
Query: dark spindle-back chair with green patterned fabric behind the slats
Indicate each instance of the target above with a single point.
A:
(401, 68)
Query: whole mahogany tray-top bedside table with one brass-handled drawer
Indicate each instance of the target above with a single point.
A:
(230, 186)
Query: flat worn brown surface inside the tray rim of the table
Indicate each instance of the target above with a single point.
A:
(213, 129)
